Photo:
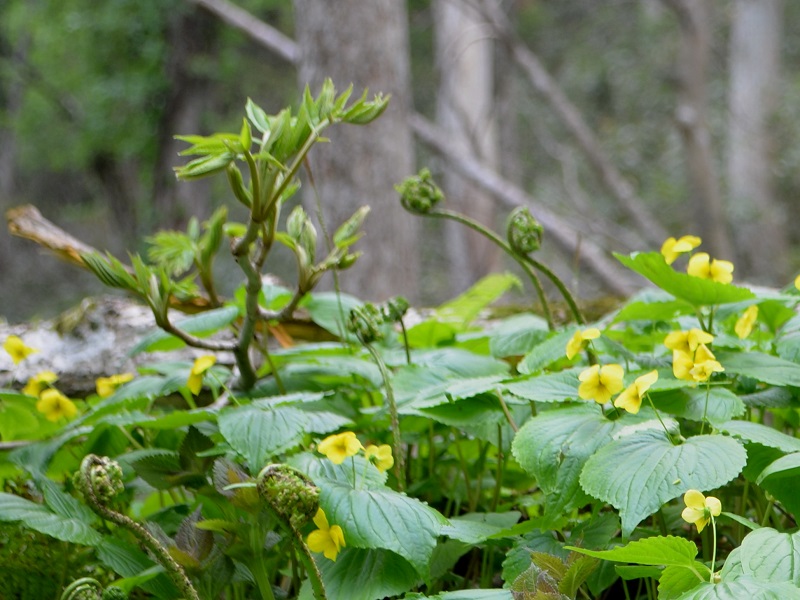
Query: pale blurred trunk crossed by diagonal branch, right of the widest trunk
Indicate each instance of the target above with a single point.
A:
(464, 60)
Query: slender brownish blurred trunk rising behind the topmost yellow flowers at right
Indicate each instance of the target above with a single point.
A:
(691, 115)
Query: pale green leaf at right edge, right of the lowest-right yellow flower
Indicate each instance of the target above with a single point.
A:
(768, 555)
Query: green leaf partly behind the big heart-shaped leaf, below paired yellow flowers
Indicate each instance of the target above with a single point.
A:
(554, 446)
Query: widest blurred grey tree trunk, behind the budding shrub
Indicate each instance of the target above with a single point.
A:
(366, 44)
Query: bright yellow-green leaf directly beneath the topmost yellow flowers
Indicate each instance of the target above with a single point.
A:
(695, 290)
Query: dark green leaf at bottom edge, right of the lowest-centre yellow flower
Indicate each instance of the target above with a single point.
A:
(366, 574)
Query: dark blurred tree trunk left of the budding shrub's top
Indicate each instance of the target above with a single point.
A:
(190, 33)
